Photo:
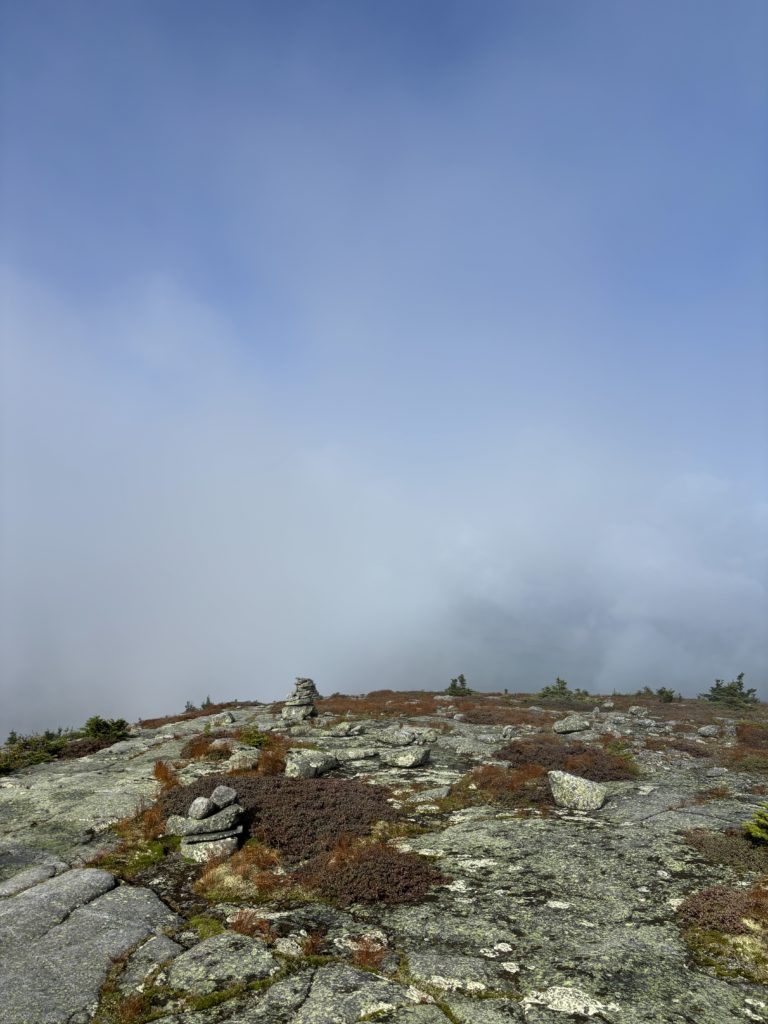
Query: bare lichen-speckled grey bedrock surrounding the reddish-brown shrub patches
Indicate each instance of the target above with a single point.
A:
(548, 919)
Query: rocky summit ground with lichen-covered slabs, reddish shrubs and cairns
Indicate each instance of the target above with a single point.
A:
(413, 859)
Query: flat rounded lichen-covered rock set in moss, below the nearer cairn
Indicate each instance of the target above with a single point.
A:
(223, 961)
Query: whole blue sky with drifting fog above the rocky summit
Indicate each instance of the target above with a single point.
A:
(379, 343)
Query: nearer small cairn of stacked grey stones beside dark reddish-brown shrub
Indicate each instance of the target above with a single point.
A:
(211, 827)
